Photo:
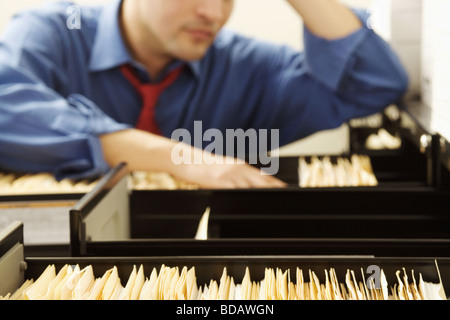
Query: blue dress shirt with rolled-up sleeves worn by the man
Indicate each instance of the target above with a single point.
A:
(60, 88)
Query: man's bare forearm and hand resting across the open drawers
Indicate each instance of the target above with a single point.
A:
(143, 151)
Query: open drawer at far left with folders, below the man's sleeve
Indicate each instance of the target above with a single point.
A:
(41, 202)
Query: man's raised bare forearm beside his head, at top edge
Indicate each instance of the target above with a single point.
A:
(328, 19)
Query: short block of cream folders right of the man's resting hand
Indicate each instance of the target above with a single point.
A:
(354, 172)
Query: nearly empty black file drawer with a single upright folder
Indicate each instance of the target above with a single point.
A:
(261, 222)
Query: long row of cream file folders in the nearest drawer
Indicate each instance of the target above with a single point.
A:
(172, 283)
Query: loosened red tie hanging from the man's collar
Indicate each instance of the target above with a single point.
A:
(149, 94)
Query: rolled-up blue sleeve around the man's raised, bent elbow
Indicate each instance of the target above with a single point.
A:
(361, 60)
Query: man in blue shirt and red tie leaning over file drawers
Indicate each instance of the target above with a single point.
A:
(71, 99)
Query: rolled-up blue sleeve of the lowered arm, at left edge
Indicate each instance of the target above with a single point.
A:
(40, 129)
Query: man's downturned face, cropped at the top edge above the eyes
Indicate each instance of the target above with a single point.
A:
(184, 29)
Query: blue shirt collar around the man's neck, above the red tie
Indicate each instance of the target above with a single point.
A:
(109, 36)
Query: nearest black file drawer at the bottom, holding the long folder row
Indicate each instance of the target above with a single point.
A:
(15, 267)
